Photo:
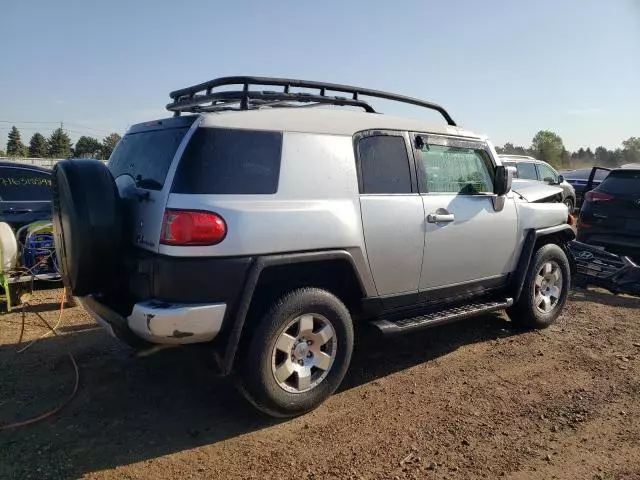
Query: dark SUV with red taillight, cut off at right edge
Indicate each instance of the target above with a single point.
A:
(610, 215)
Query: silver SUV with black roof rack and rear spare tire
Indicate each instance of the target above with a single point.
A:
(265, 229)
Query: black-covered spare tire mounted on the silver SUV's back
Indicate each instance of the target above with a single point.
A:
(87, 223)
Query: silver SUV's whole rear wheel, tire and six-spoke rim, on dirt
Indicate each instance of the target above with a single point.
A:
(299, 353)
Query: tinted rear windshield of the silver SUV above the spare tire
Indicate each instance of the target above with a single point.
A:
(147, 156)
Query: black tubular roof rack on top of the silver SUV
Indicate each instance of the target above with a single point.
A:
(202, 98)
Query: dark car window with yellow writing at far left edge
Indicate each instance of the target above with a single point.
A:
(24, 184)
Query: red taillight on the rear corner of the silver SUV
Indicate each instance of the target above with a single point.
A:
(190, 228)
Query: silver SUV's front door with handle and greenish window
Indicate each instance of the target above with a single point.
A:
(470, 236)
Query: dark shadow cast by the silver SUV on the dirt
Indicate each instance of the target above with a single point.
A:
(130, 409)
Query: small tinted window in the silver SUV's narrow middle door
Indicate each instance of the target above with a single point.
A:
(384, 164)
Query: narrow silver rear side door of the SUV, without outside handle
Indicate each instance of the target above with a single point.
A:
(392, 213)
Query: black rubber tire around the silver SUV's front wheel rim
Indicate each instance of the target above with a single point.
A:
(525, 311)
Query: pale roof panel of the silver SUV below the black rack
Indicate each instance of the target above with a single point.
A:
(332, 121)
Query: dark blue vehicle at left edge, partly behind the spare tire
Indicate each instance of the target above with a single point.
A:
(25, 194)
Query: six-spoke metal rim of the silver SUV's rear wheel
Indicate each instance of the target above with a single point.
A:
(303, 353)
